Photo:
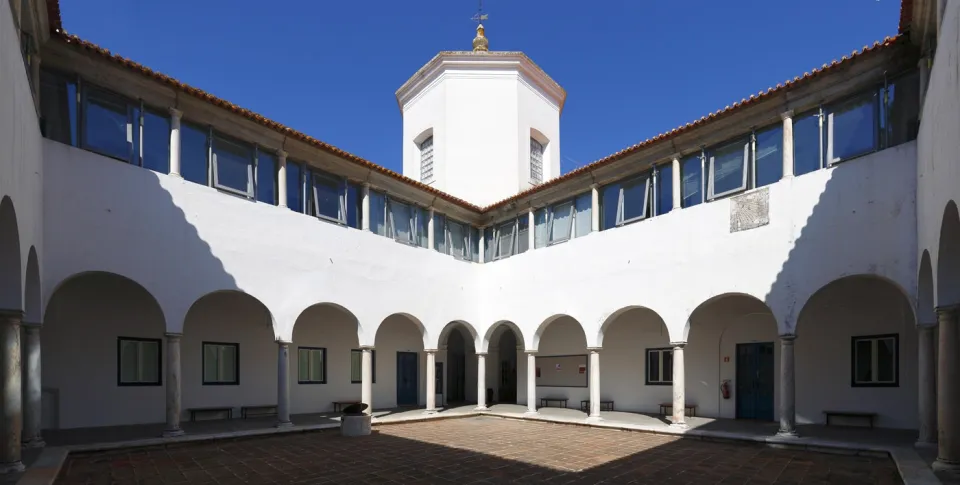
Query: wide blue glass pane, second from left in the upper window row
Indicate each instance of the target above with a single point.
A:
(107, 125)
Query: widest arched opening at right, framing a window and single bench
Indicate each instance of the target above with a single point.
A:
(856, 350)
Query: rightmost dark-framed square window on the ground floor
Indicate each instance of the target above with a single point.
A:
(875, 361)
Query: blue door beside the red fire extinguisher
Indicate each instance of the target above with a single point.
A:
(754, 385)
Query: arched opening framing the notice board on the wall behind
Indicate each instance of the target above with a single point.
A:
(562, 360)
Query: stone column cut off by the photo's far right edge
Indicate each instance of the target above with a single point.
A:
(948, 391)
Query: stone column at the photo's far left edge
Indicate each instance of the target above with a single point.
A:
(12, 400)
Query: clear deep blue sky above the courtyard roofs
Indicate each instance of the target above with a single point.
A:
(632, 69)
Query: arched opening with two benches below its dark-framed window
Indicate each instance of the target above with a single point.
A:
(228, 353)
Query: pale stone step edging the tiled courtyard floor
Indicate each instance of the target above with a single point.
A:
(913, 470)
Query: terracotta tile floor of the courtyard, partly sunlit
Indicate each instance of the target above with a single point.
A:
(474, 450)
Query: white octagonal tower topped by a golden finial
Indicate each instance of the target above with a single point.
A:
(481, 125)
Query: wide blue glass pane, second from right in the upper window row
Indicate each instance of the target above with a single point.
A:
(854, 126)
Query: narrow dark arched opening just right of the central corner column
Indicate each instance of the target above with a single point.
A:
(504, 343)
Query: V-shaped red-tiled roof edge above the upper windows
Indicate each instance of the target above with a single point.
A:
(262, 120)
